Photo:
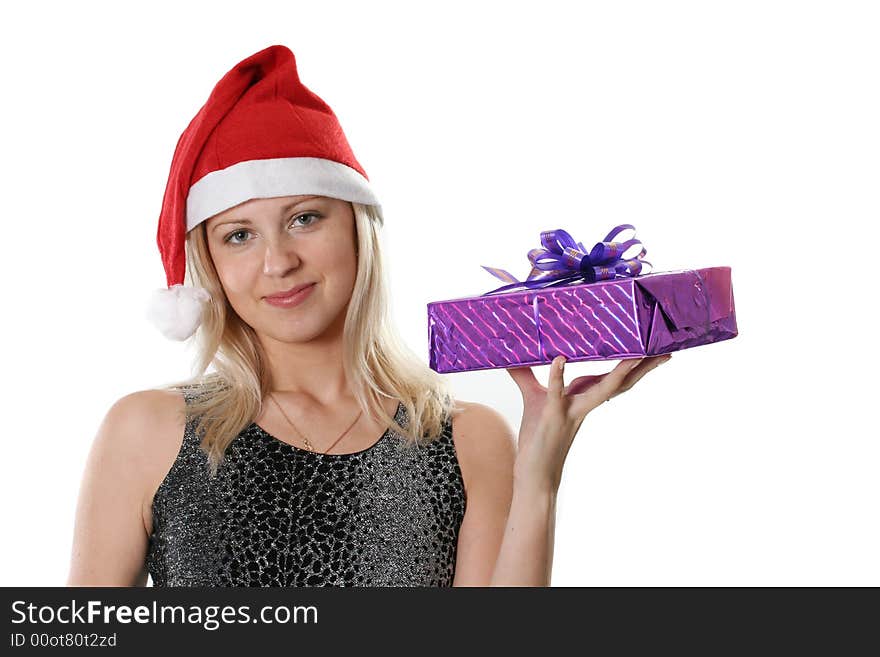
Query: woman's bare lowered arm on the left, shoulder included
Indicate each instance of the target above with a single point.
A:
(109, 539)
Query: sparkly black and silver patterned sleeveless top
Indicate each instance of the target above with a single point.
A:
(277, 515)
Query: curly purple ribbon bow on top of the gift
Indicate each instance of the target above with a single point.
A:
(563, 261)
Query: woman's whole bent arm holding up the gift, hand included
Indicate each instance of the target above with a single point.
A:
(507, 536)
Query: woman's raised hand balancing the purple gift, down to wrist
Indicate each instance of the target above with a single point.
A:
(553, 415)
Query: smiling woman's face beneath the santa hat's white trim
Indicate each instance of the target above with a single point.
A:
(265, 246)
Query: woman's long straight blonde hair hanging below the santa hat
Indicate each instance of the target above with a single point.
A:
(376, 361)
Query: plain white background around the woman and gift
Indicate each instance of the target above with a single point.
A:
(741, 134)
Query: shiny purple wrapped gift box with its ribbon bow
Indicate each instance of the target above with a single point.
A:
(594, 305)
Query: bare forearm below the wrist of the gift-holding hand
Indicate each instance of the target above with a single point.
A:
(526, 555)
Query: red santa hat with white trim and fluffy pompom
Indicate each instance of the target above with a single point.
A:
(261, 134)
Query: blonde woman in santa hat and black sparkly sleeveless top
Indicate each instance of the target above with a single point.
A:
(267, 471)
